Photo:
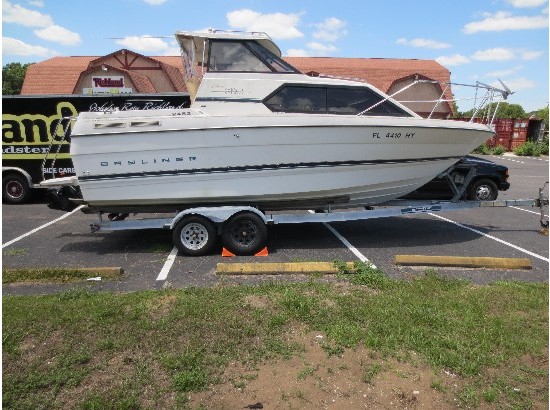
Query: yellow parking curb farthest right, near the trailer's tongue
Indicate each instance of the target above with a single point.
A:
(463, 262)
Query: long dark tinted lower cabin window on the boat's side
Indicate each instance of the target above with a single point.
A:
(332, 100)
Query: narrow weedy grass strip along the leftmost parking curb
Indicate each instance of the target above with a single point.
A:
(55, 275)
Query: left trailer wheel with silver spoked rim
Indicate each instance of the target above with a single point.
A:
(194, 235)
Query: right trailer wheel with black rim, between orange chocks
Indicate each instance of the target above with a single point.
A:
(244, 234)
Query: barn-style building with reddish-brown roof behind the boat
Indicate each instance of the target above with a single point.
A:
(125, 71)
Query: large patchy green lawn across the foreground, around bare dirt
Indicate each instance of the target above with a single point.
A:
(152, 349)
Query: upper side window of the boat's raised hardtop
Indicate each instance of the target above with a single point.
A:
(245, 56)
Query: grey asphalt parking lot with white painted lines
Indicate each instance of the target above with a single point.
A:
(149, 261)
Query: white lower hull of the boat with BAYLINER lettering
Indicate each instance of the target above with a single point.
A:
(286, 162)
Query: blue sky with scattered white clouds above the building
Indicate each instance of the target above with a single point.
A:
(477, 40)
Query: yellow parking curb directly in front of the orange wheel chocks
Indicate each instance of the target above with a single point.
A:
(278, 268)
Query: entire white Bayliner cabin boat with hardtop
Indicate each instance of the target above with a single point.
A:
(260, 133)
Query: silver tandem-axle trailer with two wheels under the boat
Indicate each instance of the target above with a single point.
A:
(243, 229)
